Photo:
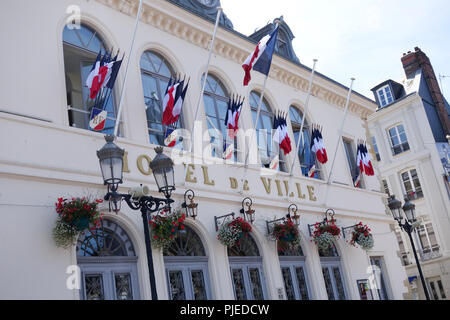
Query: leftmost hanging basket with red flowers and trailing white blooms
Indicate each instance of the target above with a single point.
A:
(74, 217)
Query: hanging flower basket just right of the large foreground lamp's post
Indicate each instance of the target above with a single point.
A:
(164, 228)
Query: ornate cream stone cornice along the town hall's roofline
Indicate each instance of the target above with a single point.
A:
(165, 16)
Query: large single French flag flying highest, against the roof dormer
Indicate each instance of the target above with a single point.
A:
(261, 59)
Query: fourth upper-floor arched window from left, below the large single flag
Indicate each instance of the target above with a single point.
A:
(267, 148)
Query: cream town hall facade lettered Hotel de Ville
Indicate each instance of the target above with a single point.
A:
(49, 152)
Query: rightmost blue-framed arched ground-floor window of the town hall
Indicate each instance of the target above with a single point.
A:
(332, 274)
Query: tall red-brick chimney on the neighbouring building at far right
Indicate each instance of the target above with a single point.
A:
(413, 61)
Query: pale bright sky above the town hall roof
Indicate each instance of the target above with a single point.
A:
(364, 39)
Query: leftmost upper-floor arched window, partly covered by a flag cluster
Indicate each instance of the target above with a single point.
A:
(81, 47)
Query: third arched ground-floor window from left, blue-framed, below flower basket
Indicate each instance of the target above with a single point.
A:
(246, 270)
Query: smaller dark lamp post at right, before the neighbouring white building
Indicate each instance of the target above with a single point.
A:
(408, 226)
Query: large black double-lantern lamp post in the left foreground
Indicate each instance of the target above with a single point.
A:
(111, 164)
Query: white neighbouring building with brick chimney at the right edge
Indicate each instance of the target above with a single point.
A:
(410, 131)
